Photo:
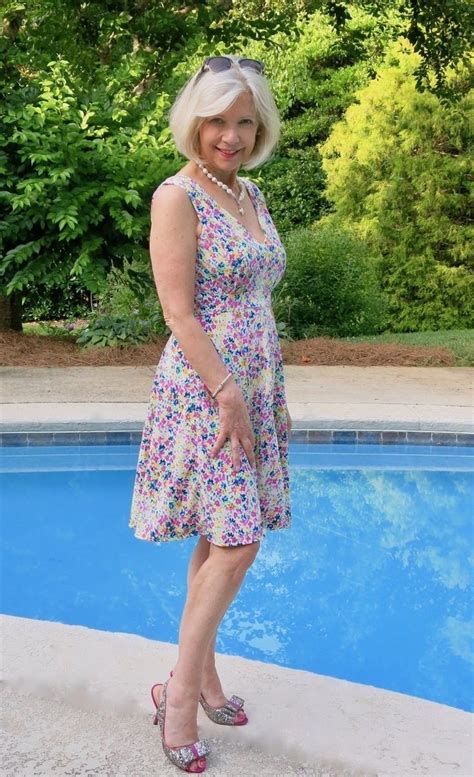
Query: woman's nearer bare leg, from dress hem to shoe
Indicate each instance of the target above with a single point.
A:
(212, 588)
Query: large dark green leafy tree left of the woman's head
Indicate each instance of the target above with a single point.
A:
(83, 135)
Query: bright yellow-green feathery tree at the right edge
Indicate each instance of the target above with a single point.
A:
(397, 172)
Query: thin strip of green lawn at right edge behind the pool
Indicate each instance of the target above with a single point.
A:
(459, 341)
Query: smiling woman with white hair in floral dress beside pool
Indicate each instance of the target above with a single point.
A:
(214, 455)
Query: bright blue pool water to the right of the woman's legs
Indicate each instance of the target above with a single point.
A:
(370, 584)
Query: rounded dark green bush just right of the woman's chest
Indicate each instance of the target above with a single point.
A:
(330, 287)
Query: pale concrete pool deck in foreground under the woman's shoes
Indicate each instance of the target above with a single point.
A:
(77, 702)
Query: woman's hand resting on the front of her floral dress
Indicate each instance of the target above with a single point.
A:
(234, 424)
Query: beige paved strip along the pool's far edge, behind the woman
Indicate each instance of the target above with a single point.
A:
(428, 398)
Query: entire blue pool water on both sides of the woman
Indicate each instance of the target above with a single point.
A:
(372, 583)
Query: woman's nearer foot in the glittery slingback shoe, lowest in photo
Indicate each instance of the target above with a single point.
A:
(181, 718)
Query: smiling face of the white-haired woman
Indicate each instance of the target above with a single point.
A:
(233, 131)
